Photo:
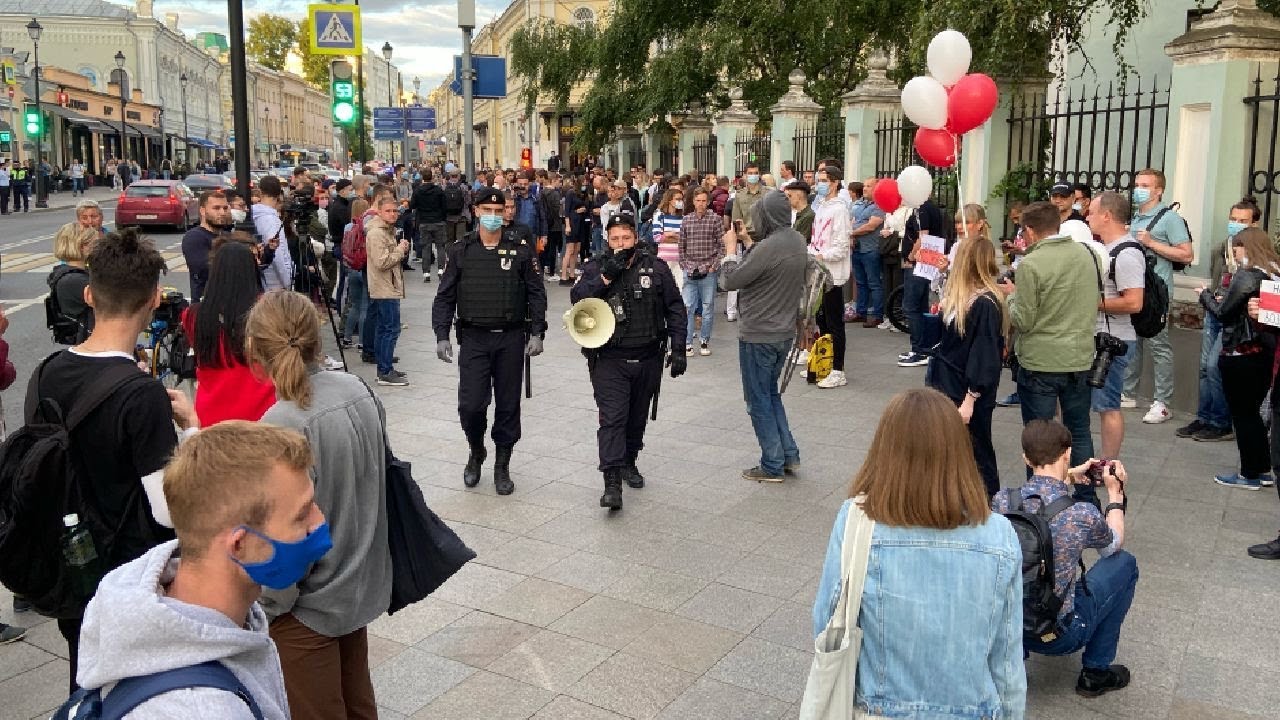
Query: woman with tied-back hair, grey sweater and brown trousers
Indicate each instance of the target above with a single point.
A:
(319, 626)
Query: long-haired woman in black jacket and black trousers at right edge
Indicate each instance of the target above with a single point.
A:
(1247, 356)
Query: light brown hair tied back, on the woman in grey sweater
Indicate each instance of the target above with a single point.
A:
(284, 339)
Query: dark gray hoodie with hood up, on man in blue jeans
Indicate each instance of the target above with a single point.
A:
(770, 276)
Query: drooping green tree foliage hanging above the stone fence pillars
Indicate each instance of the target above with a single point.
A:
(655, 57)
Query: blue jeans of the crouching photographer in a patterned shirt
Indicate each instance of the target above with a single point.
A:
(1098, 616)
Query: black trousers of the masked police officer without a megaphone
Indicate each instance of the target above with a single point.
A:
(491, 366)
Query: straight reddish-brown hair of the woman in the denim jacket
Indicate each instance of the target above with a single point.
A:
(920, 470)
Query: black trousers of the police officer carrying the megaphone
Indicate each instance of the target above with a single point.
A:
(624, 393)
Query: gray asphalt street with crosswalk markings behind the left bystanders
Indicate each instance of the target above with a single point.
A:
(26, 258)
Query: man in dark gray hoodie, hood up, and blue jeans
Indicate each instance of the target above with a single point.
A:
(770, 277)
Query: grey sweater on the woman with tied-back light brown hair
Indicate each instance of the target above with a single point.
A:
(353, 585)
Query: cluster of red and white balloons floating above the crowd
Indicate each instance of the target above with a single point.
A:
(945, 104)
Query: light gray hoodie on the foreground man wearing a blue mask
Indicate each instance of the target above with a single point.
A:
(132, 628)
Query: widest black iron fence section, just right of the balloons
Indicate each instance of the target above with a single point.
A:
(1101, 140)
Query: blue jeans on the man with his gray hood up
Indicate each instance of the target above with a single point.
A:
(761, 364)
